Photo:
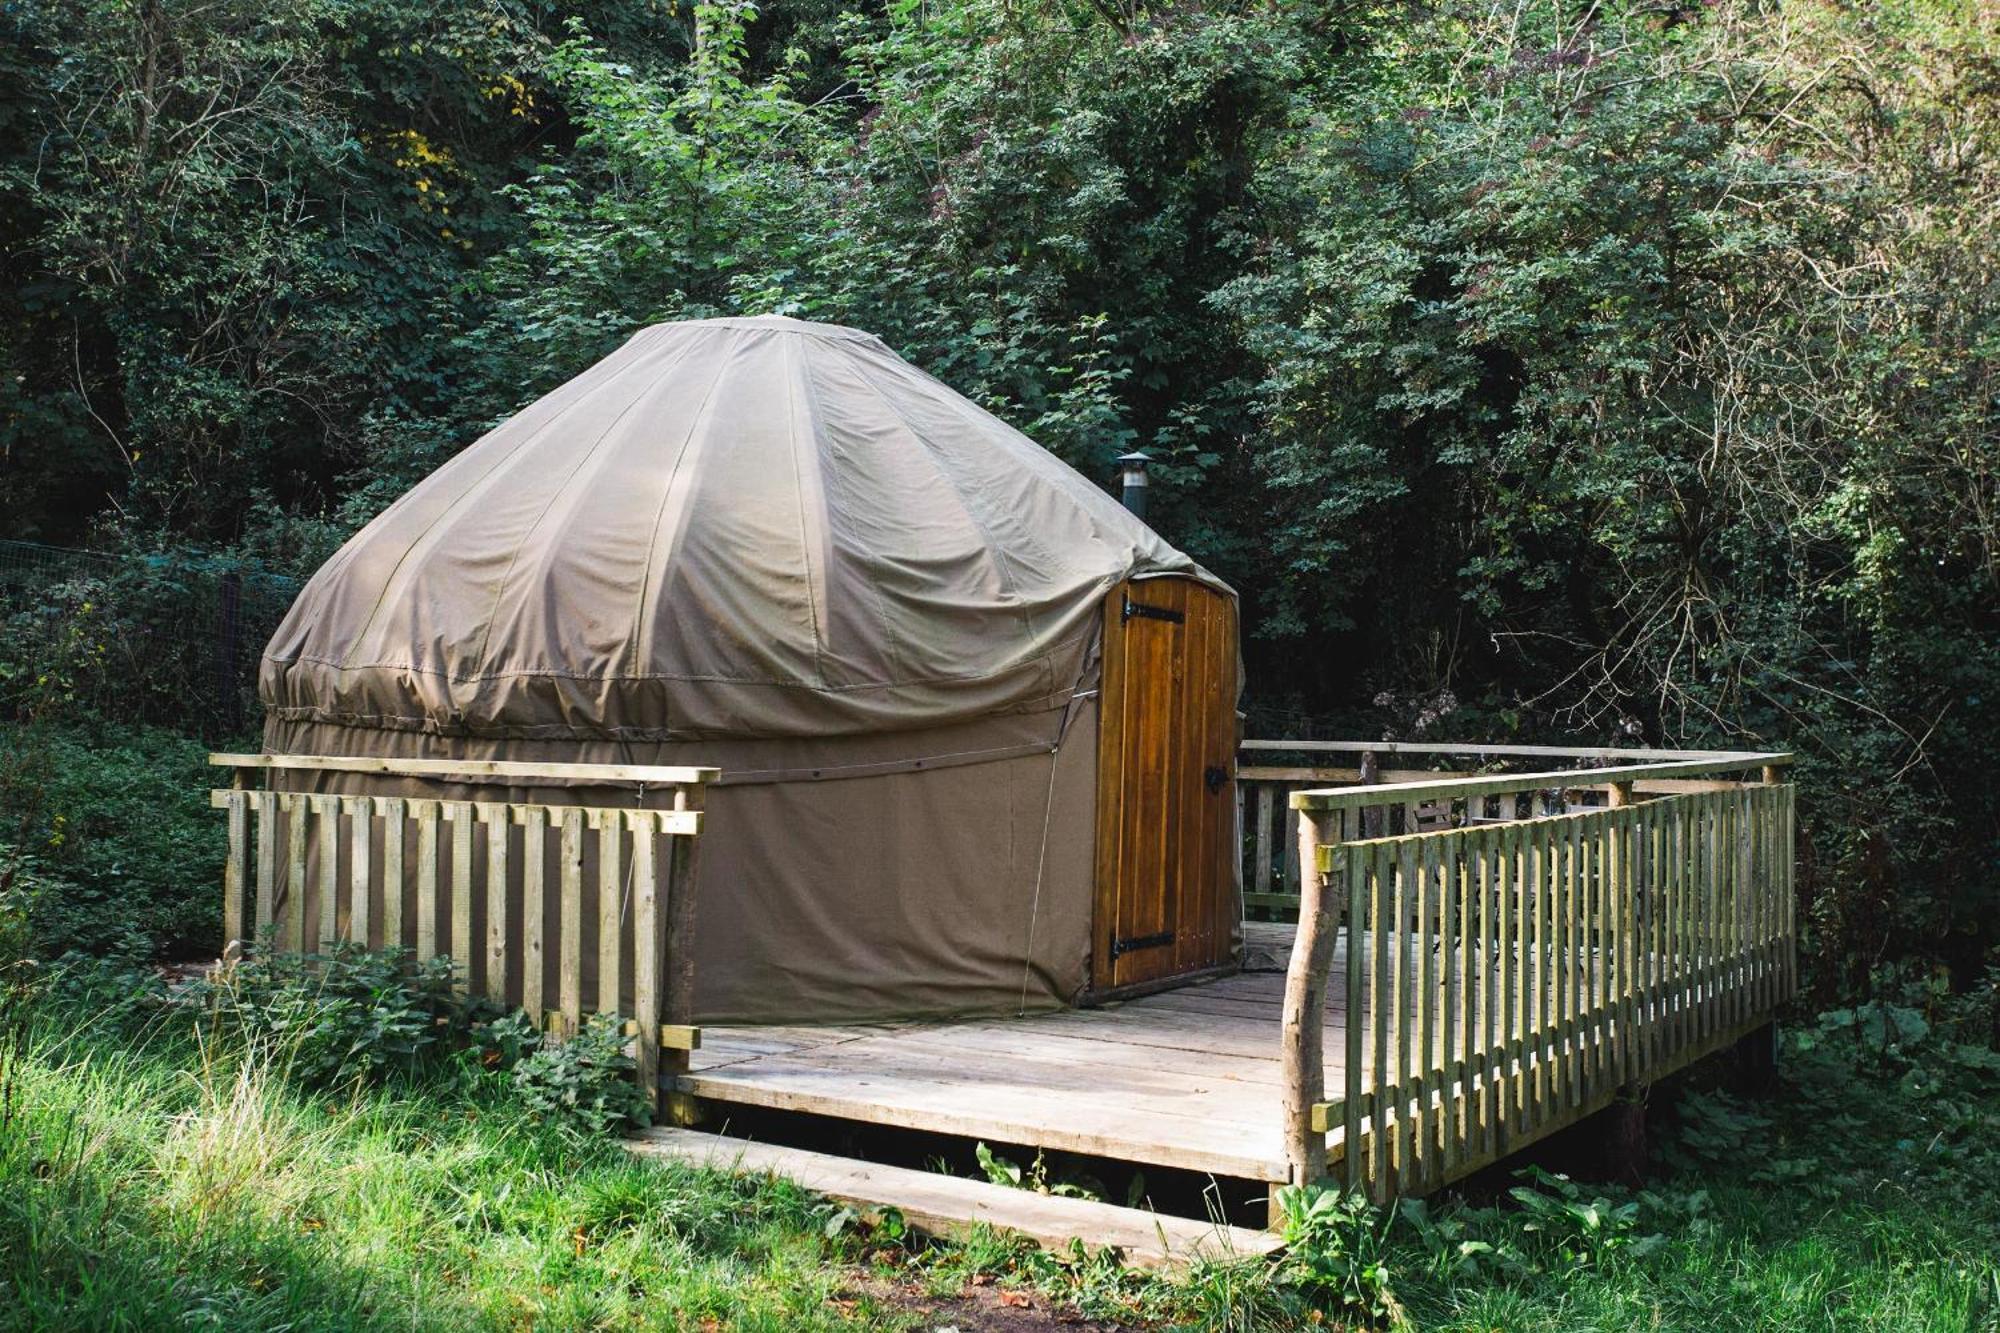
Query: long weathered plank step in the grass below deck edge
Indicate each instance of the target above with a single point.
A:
(949, 1206)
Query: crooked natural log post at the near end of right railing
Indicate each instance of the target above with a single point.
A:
(1305, 1004)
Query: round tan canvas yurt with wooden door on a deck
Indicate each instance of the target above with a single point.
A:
(975, 722)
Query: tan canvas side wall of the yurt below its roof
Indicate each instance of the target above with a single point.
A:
(961, 886)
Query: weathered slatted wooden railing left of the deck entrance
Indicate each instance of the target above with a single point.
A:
(475, 880)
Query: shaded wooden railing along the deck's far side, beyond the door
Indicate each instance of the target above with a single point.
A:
(1271, 772)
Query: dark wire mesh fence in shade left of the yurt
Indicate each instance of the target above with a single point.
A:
(159, 637)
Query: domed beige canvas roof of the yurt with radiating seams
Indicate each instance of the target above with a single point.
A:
(741, 527)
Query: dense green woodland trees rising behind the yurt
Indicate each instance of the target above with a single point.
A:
(1553, 371)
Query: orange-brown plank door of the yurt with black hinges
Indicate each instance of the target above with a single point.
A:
(1167, 766)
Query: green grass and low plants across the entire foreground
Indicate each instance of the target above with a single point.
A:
(153, 1178)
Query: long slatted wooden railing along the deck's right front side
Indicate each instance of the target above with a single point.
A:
(1507, 976)
